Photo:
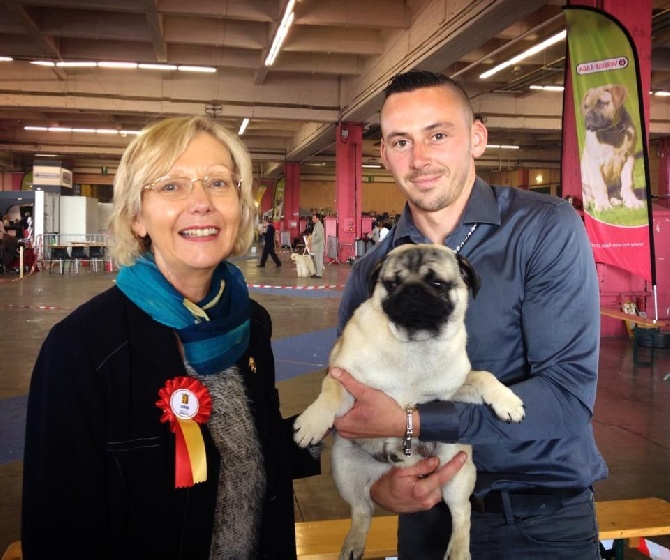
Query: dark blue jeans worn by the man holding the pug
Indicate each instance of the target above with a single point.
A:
(569, 533)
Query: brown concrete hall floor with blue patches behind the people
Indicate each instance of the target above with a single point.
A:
(632, 410)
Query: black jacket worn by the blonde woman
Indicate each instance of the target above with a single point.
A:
(99, 464)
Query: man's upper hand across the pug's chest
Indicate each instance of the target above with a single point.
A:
(374, 413)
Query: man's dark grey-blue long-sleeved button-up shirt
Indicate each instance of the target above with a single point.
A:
(535, 324)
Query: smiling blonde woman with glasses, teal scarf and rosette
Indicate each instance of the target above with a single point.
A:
(153, 427)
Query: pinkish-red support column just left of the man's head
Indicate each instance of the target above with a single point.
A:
(348, 177)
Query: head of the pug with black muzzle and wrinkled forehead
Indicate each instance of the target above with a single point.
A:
(423, 289)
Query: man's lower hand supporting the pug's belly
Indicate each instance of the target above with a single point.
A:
(417, 488)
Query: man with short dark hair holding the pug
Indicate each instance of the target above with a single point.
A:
(534, 324)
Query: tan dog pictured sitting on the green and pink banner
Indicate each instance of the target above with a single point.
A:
(608, 157)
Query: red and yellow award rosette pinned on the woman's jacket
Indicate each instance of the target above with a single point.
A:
(186, 403)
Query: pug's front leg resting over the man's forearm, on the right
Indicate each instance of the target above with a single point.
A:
(482, 387)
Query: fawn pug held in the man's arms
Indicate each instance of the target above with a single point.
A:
(408, 340)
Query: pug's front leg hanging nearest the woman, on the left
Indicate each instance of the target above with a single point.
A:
(313, 424)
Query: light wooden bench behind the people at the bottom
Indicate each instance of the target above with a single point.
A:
(620, 520)
